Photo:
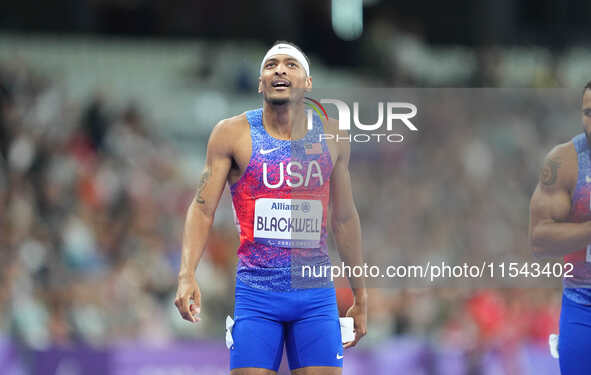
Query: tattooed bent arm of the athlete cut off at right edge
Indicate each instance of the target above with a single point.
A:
(550, 205)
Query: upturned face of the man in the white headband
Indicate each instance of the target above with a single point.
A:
(283, 79)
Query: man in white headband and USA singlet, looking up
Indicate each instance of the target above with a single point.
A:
(283, 178)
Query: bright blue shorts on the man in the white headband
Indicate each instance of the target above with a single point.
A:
(306, 321)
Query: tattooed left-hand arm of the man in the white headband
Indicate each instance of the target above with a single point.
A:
(199, 219)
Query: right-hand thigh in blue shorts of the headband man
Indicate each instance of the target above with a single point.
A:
(314, 340)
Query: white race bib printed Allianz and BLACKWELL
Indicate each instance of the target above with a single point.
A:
(293, 223)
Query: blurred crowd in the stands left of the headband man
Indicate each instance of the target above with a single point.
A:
(92, 207)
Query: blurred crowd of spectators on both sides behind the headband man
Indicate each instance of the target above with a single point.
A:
(92, 208)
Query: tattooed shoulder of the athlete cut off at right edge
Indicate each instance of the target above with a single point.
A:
(560, 168)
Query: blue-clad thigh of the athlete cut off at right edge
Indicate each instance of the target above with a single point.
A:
(574, 343)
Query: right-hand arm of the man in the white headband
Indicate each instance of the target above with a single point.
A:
(346, 229)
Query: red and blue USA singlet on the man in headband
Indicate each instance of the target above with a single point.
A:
(281, 204)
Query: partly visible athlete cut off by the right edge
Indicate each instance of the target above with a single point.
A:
(560, 225)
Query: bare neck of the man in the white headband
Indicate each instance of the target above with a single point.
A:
(285, 121)
